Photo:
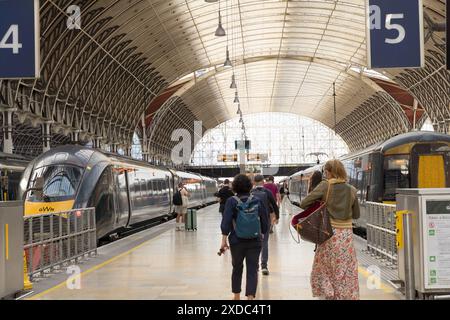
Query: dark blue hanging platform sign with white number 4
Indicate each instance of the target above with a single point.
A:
(19, 39)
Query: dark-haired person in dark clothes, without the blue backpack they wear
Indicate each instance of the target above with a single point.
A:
(243, 249)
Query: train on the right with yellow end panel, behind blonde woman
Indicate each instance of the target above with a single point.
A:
(411, 160)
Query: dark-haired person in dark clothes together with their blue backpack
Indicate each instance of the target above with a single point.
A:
(244, 223)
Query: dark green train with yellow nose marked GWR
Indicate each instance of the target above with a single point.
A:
(125, 192)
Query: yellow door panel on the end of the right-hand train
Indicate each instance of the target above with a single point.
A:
(431, 171)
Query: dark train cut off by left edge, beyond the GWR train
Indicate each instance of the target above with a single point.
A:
(11, 169)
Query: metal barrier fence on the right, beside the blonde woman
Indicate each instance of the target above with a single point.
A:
(381, 233)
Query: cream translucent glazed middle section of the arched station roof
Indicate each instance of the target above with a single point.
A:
(286, 55)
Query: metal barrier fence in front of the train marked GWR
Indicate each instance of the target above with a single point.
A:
(52, 240)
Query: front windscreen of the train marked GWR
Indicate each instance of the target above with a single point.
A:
(60, 183)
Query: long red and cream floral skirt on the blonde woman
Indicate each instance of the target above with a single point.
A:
(334, 274)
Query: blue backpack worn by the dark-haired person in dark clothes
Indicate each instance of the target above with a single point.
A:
(248, 225)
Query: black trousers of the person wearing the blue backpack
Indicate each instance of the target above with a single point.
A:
(250, 251)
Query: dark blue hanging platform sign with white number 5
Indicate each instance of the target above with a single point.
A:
(395, 34)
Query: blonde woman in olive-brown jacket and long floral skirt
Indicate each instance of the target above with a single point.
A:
(334, 274)
